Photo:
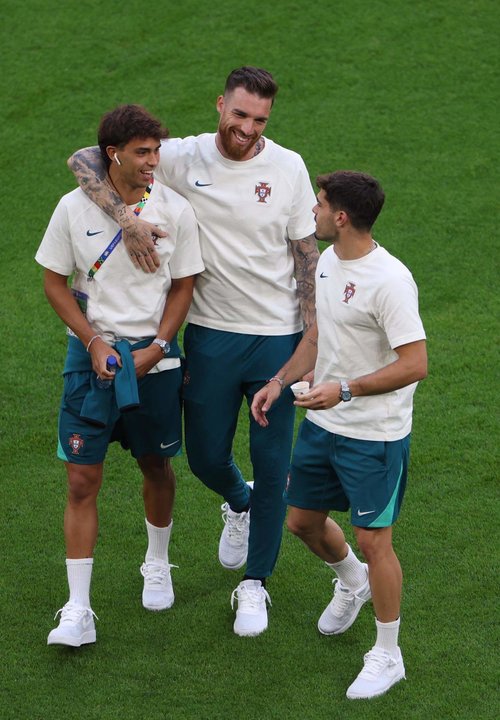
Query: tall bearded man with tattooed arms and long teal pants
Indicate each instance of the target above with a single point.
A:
(253, 202)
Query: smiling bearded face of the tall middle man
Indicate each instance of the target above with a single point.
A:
(243, 118)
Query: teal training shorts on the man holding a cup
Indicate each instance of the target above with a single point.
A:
(333, 472)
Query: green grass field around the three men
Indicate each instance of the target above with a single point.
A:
(407, 91)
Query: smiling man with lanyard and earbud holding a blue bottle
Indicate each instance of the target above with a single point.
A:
(114, 311)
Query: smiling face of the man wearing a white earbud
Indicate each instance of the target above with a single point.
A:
(132, 165)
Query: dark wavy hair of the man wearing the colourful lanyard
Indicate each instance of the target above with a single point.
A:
(124, 123)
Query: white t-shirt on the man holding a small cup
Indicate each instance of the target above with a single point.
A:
(365, 309)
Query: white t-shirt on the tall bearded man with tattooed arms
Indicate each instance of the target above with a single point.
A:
(248, 212)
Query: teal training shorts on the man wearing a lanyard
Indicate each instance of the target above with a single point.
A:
(154, 428)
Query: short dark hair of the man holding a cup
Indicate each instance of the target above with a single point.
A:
(359, 194)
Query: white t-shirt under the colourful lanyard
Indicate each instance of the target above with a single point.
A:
(122, 301)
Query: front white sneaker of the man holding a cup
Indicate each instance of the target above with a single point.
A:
(380, 672)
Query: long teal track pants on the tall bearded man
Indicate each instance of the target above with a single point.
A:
(222, 368)
